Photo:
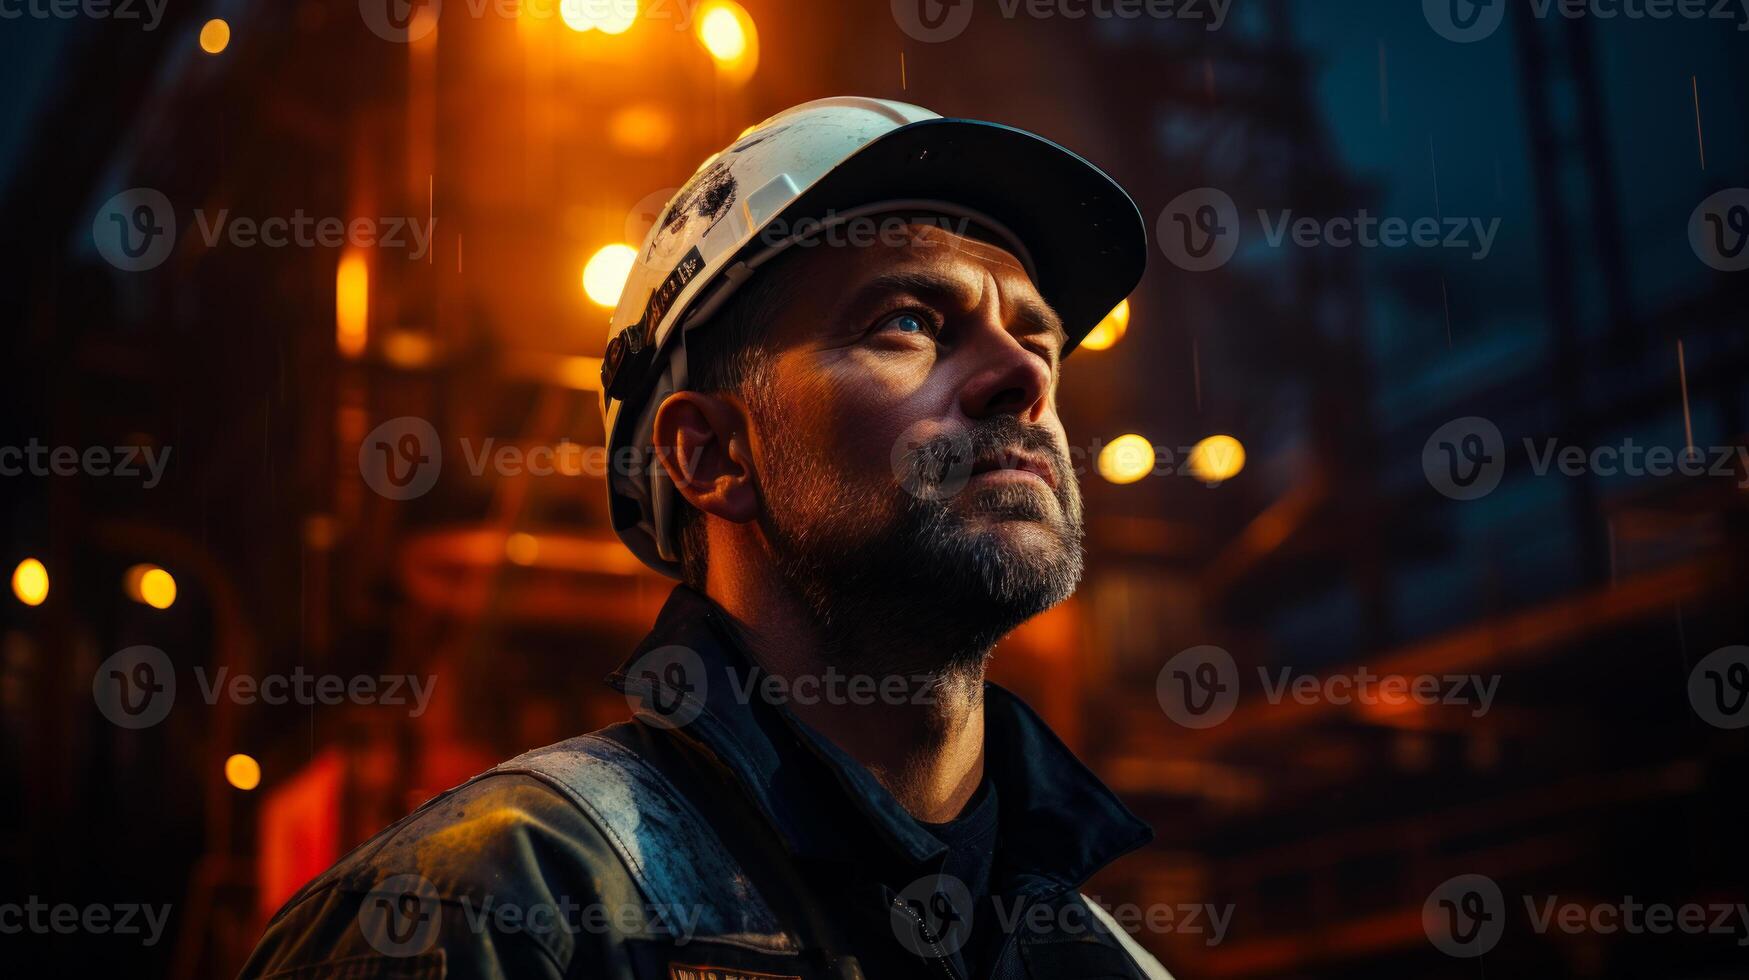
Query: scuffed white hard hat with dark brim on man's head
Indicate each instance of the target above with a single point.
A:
(1075, 228)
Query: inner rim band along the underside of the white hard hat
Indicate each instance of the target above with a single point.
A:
(664, 496)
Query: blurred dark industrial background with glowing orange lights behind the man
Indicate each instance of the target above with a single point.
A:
(1290, 456)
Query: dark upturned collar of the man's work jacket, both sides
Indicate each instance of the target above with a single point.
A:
(1057, 827)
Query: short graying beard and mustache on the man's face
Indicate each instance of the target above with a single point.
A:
(898, 582)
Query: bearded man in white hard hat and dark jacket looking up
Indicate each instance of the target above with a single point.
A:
(832, 410)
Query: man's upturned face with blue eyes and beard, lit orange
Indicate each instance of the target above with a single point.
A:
(907, 438)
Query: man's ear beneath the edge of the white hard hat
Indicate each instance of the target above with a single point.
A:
(702, 444)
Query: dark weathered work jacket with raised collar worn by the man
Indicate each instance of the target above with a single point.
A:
(716, 837)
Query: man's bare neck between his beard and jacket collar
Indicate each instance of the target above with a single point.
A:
(921, 734)
